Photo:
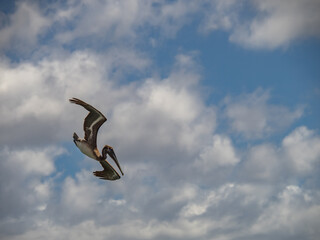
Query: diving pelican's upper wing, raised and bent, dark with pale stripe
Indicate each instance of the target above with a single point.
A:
(92, 122)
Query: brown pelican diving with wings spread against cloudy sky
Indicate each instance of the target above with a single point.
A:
(88, 145)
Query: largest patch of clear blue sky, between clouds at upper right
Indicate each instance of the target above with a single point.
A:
(232, 69)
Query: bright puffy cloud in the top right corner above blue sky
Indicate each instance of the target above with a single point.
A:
(272, 24)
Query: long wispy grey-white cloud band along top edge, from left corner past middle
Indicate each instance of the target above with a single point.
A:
(90, 23)
